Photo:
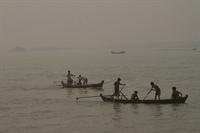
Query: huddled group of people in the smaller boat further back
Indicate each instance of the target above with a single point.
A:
(80, 79)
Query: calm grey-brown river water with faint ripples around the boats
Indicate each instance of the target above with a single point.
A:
(30, 101)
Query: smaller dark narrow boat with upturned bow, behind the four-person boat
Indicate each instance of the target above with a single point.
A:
(97, 85)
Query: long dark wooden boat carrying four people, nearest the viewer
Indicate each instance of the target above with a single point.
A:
(162, 101)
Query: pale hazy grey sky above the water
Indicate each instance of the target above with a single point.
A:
(85, 23)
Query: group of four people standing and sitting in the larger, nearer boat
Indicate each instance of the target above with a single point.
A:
(154, 87)
